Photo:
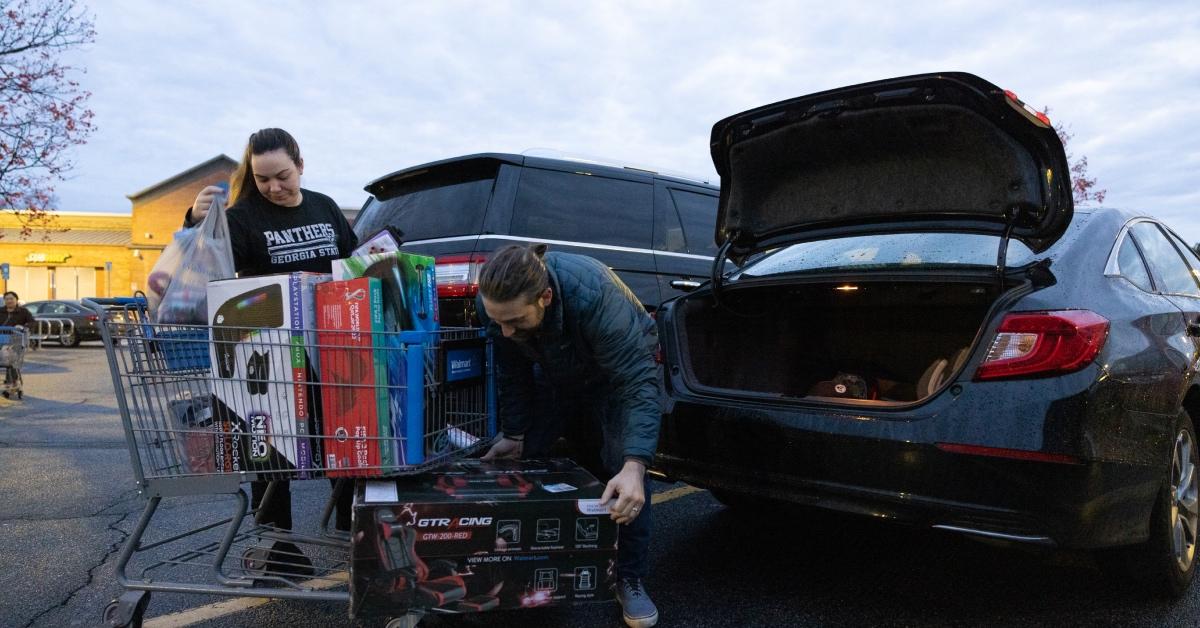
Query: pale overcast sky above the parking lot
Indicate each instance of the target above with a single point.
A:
(369, 88)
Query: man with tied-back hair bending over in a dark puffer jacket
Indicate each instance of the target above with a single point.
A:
(571, 320)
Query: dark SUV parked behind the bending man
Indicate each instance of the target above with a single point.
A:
(655, 231)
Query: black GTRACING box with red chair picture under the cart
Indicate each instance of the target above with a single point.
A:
(483, 536)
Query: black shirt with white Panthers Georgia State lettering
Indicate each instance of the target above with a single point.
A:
(269, 238)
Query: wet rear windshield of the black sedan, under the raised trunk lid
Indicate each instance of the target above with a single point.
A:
(890, 252)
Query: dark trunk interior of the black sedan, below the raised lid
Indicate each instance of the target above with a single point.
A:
(833, 342)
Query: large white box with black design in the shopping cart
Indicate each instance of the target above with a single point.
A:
(262, 372)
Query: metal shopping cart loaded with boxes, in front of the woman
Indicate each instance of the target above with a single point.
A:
(208, 409)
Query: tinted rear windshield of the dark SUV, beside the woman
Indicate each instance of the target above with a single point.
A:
(433, 206)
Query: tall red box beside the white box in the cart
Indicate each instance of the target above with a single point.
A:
(355, 378)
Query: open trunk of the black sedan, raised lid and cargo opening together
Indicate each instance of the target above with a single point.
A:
(945, 153)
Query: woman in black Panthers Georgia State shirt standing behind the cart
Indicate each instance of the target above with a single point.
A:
(277, 226)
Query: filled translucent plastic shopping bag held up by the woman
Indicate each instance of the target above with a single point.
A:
(205, 256)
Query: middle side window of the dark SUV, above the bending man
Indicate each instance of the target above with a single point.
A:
(560, 206)
